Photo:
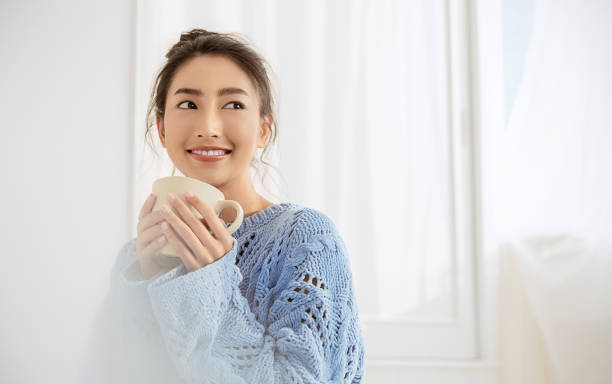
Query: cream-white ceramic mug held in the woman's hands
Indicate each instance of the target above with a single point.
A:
(179, 185)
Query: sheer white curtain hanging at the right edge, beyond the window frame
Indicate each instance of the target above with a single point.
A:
(555, 206)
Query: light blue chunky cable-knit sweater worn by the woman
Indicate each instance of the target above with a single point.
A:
(278, 308)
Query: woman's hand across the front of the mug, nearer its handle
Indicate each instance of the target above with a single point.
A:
(196, 245)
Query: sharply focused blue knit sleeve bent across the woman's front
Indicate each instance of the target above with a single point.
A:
(311, 332)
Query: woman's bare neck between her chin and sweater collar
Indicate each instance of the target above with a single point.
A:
(242, 191)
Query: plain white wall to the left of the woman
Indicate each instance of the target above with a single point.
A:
(65, 105)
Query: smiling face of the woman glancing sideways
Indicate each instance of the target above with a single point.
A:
(212, 106)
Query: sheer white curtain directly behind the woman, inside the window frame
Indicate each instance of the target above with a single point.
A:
(363, 128)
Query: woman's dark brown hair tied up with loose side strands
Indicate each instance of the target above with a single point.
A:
(199, 42)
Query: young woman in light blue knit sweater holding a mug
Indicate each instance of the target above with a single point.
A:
(272, 304)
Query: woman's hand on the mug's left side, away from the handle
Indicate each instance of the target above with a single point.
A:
(150, 237)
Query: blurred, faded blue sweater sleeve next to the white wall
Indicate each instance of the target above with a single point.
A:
(124, 344)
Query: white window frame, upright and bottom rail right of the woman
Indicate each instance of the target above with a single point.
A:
(457, 338)
